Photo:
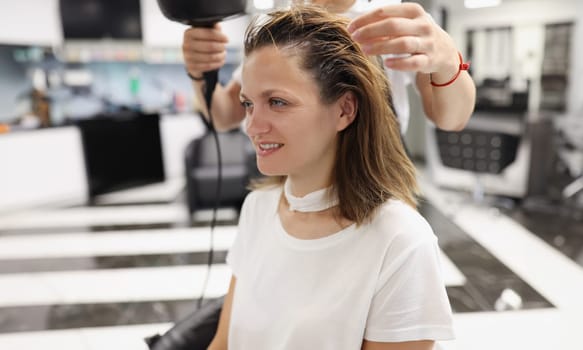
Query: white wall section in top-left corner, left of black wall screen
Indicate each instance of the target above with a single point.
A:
(30, 22)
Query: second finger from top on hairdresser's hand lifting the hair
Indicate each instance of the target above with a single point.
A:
(389, 28)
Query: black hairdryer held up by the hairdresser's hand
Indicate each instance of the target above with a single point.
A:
(203, 13)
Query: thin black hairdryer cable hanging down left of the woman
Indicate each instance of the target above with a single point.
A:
(211, 79)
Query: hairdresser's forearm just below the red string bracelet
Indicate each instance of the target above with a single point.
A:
(449, 107)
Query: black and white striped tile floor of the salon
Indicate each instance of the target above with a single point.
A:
(105, 277)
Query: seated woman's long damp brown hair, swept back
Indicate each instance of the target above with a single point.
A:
(371, 164)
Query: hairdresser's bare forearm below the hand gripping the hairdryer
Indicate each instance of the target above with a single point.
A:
(227, 111)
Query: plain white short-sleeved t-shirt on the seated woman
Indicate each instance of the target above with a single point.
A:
(381, 281)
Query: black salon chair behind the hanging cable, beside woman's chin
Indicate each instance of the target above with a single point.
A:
(238, 167)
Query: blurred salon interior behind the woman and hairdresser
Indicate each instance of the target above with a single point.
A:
(108, 178)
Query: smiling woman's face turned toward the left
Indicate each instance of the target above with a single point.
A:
(293, 132)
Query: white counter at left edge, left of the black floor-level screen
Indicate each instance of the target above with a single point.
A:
(42, 167)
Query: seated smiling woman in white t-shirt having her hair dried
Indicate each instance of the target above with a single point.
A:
(331, 253)
